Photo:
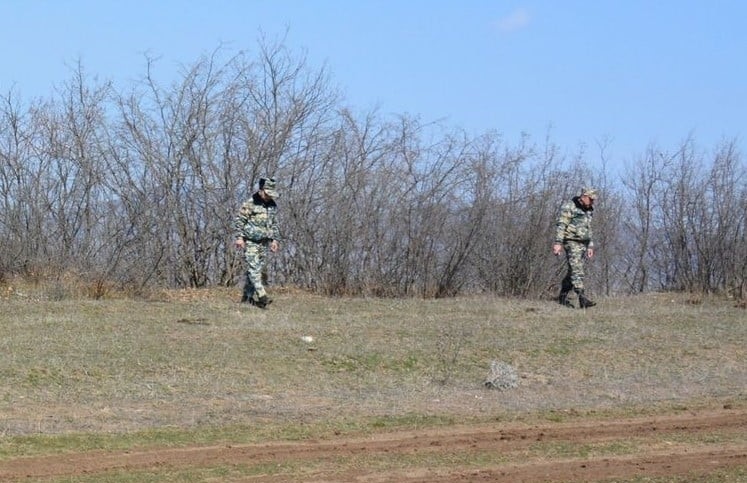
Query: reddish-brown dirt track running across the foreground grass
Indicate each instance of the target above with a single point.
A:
(665, 446)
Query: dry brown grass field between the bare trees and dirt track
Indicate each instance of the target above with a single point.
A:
(198, 358)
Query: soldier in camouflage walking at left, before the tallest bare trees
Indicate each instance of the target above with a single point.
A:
(256, 232)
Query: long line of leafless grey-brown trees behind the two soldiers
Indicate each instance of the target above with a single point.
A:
(139, 187)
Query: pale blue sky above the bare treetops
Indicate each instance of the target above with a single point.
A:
(632, 71)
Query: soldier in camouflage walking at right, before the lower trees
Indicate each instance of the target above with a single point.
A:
(574, 235)
